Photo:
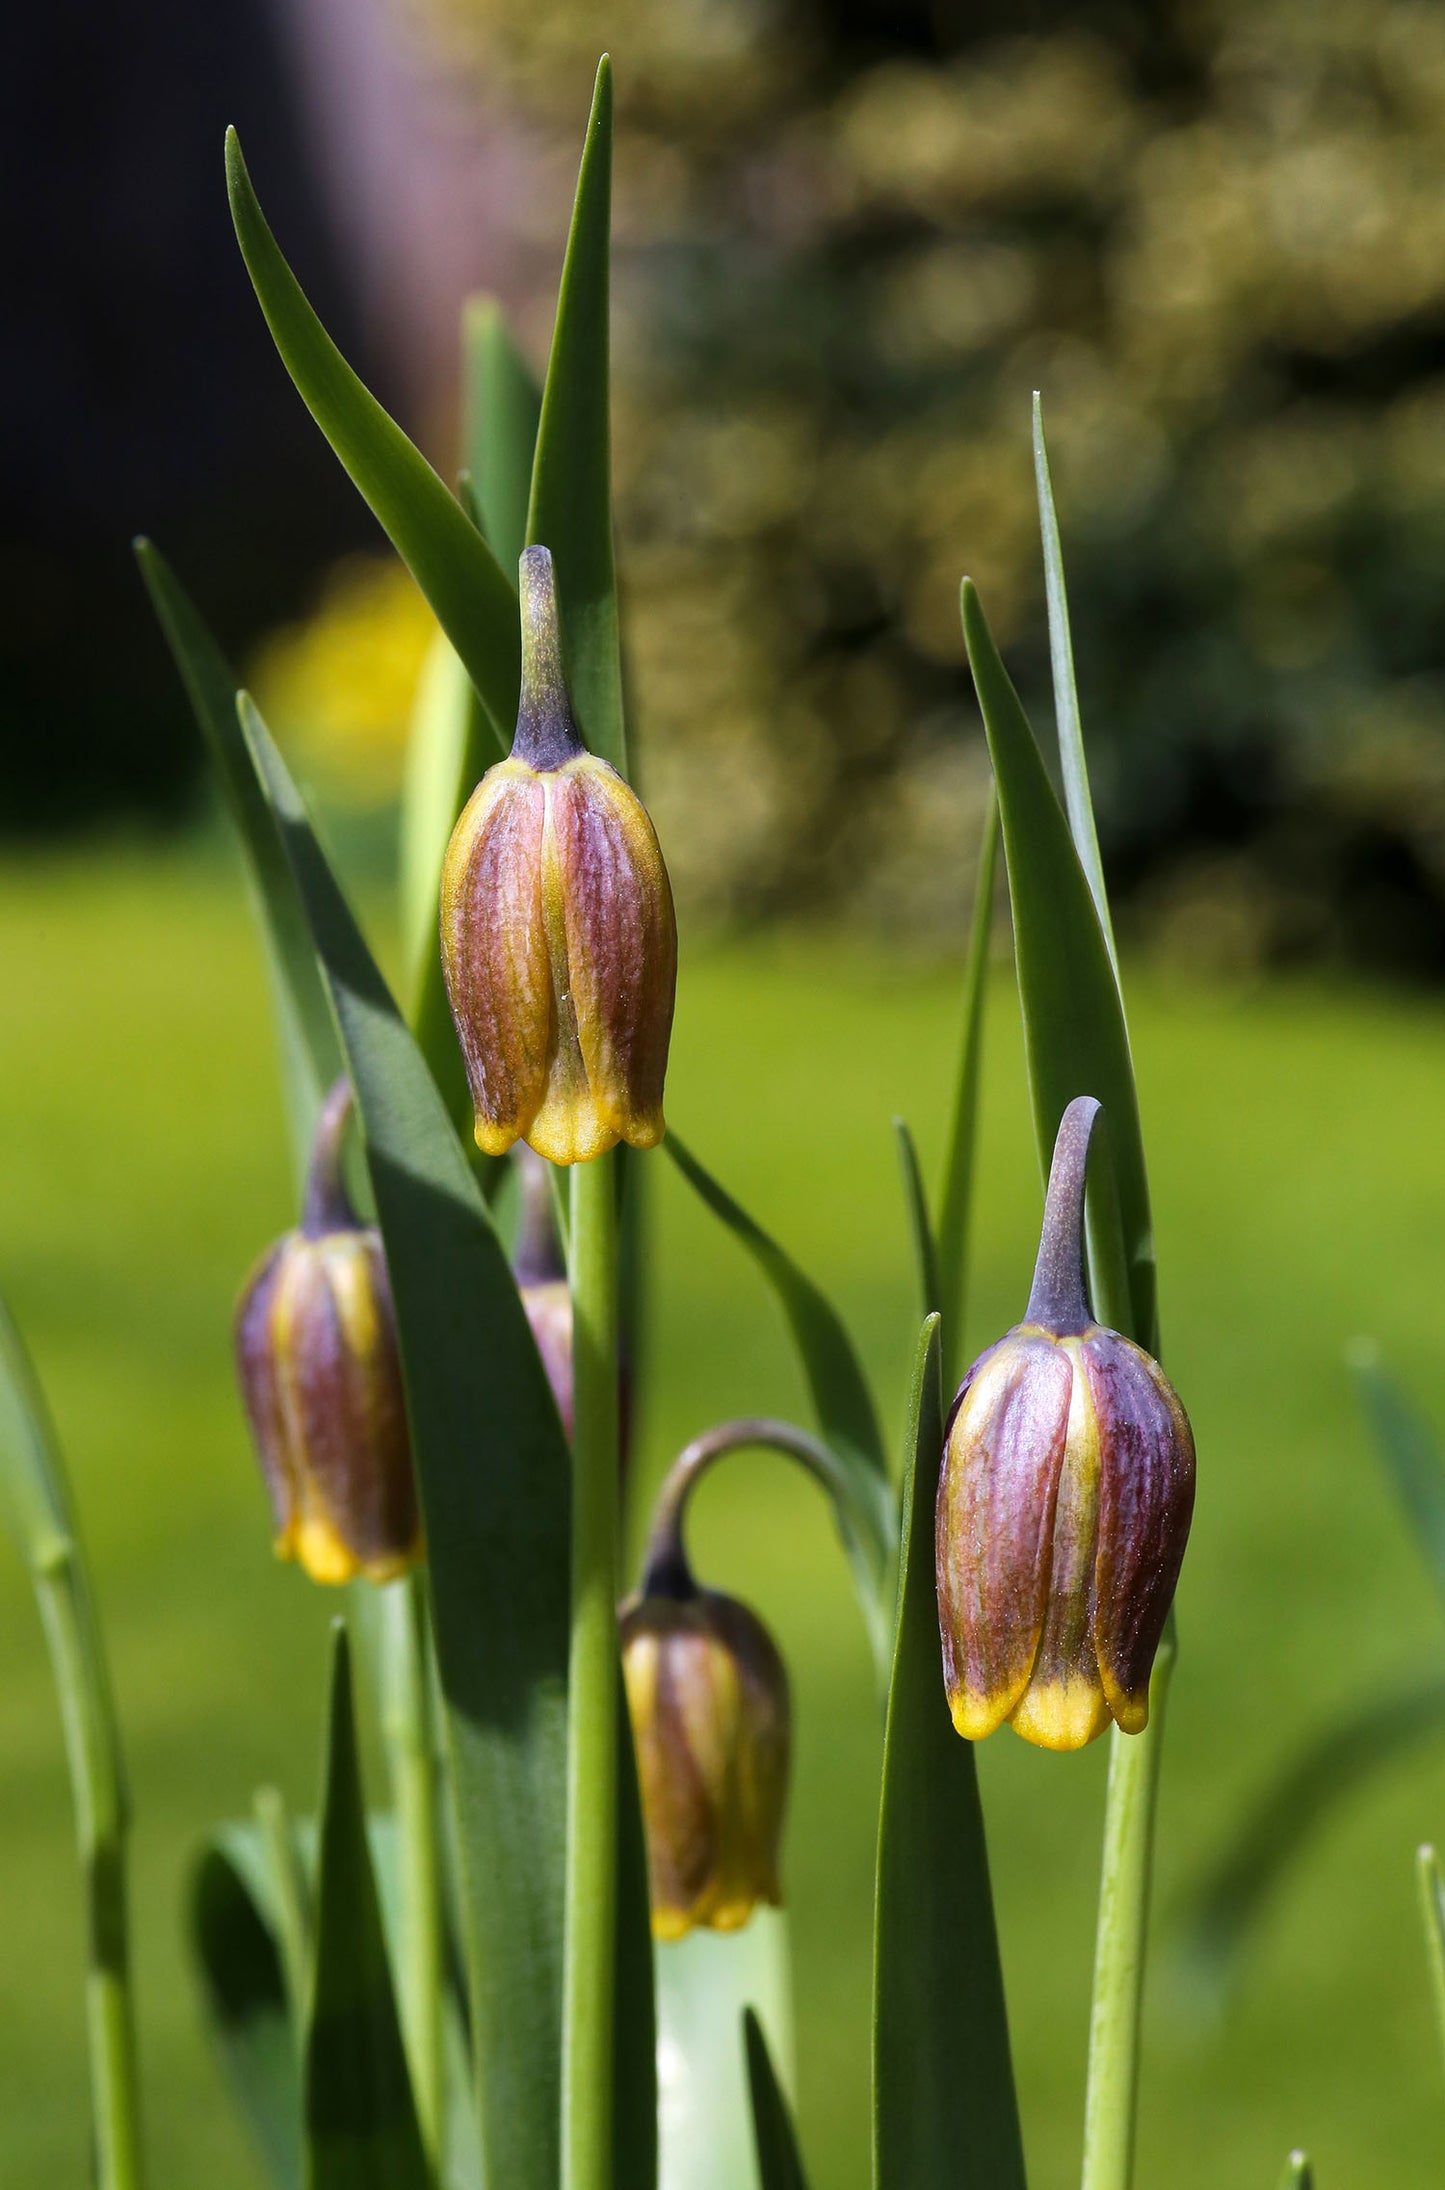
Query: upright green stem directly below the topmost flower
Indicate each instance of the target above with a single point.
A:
(592, 1687)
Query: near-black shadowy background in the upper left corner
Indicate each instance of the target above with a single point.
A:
(139, 391)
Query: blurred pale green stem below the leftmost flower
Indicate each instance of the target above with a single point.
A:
(406, 1725)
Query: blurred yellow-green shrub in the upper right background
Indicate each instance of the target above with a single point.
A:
(851, 242)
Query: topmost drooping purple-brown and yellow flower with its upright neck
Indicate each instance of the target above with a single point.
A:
(559, 941)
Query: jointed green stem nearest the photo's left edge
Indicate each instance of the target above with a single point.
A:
(102, 1825)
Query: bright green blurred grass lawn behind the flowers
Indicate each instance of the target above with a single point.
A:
(1299, 1186)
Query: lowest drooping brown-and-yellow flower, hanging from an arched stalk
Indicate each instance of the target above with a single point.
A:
(708, 1698)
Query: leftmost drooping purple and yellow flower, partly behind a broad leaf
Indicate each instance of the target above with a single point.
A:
(321, 1379)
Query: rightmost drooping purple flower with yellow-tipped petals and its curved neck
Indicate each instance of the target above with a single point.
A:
(1063, 1506)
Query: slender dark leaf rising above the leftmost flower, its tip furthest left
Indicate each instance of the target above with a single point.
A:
(310, 1050)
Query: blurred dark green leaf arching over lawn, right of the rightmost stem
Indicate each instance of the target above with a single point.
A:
(1229, 1904)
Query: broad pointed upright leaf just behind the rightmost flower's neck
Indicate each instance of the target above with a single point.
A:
(1076, 1039)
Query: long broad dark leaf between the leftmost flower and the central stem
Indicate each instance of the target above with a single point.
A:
(494, 1475)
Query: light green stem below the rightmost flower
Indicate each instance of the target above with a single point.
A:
(1111, 2106)
